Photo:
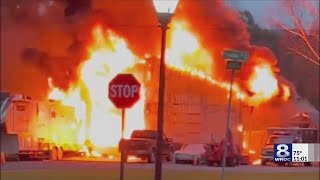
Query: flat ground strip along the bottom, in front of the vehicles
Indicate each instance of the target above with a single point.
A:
(106, 170)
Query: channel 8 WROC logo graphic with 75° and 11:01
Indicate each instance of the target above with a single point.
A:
(297, 152)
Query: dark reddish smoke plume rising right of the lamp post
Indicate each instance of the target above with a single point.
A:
(220, 27)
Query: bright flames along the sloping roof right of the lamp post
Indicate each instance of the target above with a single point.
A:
(196, 60)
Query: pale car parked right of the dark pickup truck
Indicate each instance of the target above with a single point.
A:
(191, 153)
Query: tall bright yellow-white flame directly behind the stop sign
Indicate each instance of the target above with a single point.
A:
(108, 55)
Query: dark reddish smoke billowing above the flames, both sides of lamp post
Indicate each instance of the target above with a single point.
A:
(53, 43)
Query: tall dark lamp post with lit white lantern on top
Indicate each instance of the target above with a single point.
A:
(165, 10)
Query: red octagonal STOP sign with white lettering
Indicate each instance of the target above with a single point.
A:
(124, 90)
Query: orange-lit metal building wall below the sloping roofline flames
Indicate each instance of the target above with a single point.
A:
(195, 111)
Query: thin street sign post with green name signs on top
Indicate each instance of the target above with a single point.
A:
(234, 61)
